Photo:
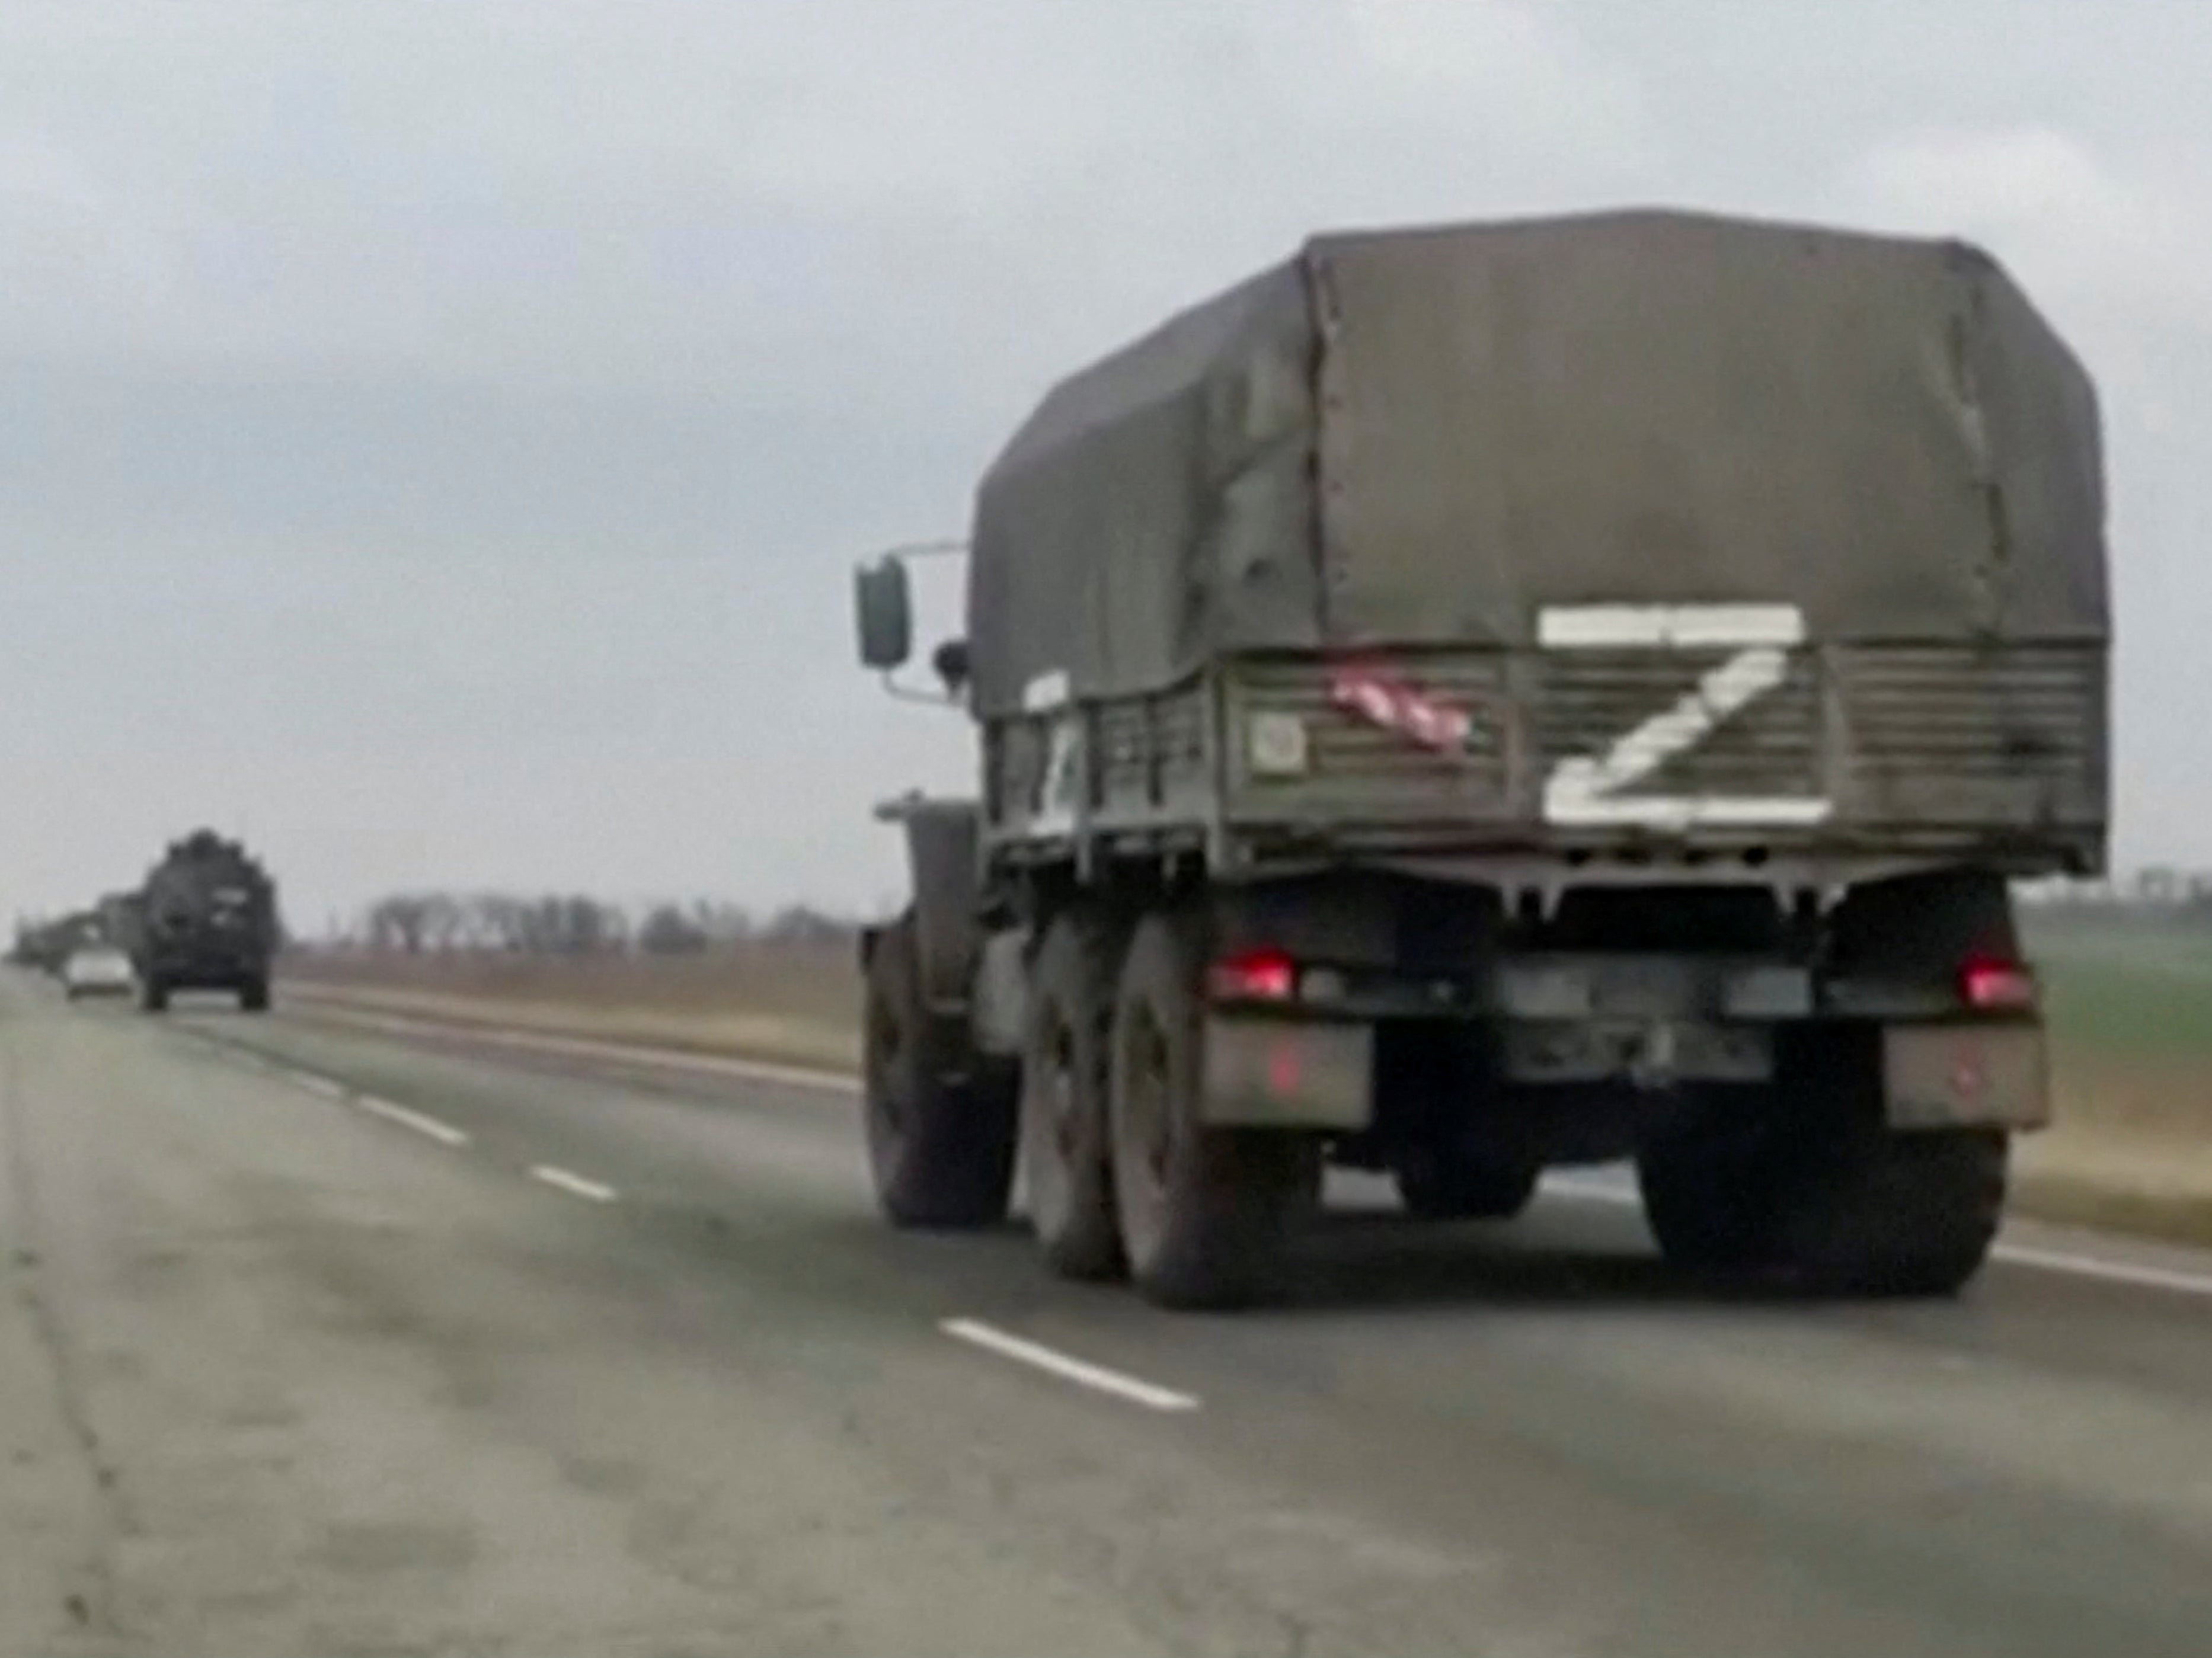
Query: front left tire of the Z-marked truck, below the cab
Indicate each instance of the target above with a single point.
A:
(939, 1144)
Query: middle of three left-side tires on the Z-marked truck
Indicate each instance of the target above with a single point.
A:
(1067, 1151)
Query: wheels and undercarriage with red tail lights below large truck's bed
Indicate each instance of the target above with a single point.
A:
(1824, 1098)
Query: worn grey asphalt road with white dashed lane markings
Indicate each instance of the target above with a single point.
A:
(375, 1347)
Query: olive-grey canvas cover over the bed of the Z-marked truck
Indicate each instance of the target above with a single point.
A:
(1428, 439)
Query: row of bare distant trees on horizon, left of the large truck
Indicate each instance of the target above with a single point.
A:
(574, 925)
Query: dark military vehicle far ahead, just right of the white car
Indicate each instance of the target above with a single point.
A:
(205, 921)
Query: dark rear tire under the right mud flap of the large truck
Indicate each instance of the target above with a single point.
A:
(1897, 1213)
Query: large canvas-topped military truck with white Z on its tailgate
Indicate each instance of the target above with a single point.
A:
(1494, 697)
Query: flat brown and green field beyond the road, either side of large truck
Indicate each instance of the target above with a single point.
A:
(2131, 1016)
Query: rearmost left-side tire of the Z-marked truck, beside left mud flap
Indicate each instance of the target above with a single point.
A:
(1207, 1213)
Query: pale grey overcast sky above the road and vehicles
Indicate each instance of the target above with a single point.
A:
(435, 432)
